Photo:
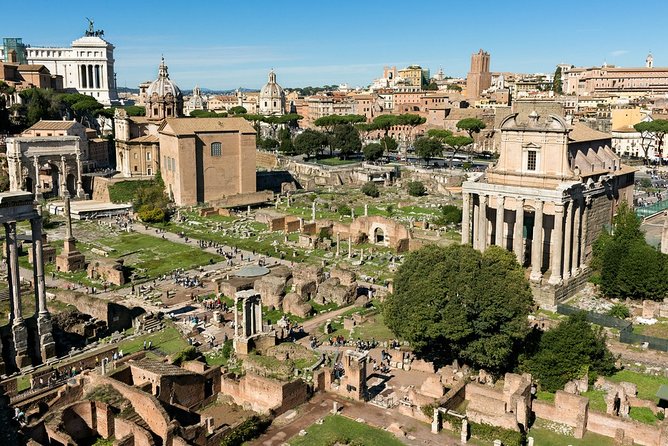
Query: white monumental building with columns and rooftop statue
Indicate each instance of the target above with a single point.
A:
(87, 66)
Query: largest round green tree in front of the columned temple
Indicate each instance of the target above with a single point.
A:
(456, 302)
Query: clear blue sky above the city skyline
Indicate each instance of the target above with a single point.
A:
(224, 44)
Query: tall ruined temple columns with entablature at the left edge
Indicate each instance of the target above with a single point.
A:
(16, 207)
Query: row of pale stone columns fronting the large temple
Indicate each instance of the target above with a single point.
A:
(567, 242)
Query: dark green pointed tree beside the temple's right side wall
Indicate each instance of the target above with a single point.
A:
(628, 266)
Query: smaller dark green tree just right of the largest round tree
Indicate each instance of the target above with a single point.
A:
(569, 351)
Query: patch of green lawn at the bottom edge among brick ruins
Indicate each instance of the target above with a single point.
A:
(338, 429)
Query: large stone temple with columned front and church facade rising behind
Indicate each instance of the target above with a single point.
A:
(548, 197)
